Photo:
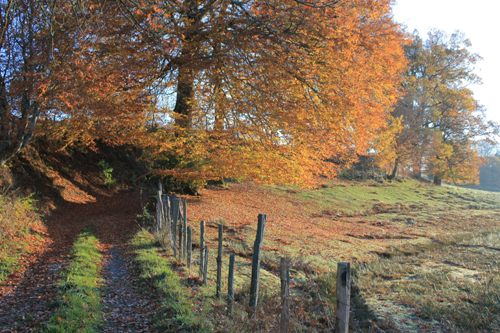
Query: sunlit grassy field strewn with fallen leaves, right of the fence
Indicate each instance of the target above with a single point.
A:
(424, 257)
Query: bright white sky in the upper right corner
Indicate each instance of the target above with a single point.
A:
(479, 20)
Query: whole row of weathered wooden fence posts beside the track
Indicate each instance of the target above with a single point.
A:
(172, 219)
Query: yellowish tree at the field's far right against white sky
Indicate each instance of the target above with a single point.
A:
(441, 119)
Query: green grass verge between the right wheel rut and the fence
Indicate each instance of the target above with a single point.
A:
(176, 313)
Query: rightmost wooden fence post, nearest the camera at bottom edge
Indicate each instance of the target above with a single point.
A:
(343, 297)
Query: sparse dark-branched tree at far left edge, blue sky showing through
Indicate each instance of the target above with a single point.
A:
(24, 58)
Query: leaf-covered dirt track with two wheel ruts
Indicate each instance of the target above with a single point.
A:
(25, 299)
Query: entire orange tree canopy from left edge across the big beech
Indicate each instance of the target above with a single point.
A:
(262, 90)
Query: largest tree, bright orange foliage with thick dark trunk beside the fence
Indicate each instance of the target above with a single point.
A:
(268, 90)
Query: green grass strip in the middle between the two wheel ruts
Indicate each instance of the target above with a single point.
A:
(79, 297)
